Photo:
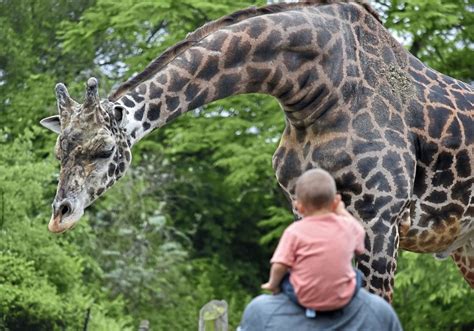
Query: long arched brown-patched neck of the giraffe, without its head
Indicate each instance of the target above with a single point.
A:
(301, 57)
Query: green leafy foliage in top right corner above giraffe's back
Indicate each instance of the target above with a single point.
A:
(440, 32)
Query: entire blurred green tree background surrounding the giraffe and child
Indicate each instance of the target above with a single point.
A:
(200, 212)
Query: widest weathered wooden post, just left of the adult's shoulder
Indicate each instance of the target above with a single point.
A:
(213, 316)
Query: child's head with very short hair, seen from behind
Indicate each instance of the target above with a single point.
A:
(316, 191)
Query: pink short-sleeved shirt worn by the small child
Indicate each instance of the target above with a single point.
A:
(319, 250)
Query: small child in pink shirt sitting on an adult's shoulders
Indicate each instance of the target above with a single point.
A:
(318, 249)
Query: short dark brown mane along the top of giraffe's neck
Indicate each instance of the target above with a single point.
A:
(194, 37)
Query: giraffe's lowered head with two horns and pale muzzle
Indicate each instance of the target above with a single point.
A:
(93, 149)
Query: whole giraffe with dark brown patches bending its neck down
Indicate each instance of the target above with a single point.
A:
(397, 136)
